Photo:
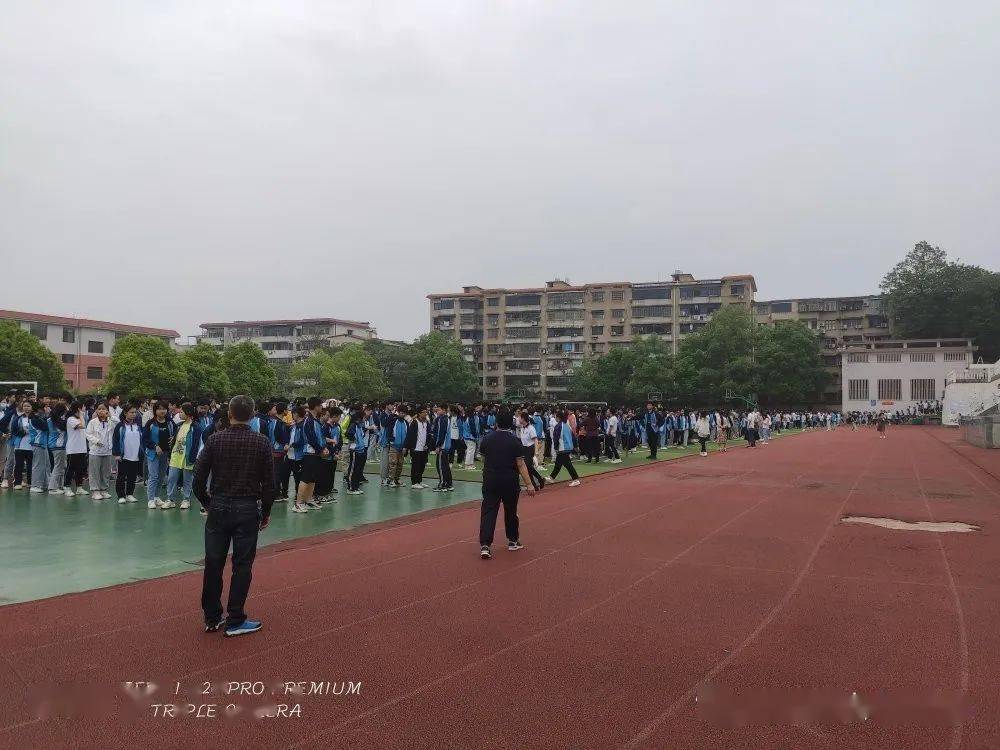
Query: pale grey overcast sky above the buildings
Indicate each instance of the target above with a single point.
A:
(172, 163)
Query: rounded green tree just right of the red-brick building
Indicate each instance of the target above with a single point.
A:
(145, 366)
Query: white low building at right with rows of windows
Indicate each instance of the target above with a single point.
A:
(895, 374)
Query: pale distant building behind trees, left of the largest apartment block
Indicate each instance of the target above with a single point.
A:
(287, 341)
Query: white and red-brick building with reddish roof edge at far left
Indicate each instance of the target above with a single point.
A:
(83, 346)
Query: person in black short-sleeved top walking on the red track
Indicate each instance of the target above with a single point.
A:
(503, 464)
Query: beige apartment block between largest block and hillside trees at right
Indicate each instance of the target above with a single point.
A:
(840, 321)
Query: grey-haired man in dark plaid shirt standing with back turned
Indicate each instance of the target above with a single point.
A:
(239, 503)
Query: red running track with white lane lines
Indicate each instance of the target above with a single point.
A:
(632, 590)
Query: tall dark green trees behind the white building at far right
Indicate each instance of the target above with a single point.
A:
(928, 296)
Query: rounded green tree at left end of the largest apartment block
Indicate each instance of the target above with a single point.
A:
(440, 371)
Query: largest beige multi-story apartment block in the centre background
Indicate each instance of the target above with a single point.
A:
(530, 340)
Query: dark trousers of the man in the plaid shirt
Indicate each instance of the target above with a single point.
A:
(236, 521)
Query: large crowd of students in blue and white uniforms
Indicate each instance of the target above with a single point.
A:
(57, 444)
